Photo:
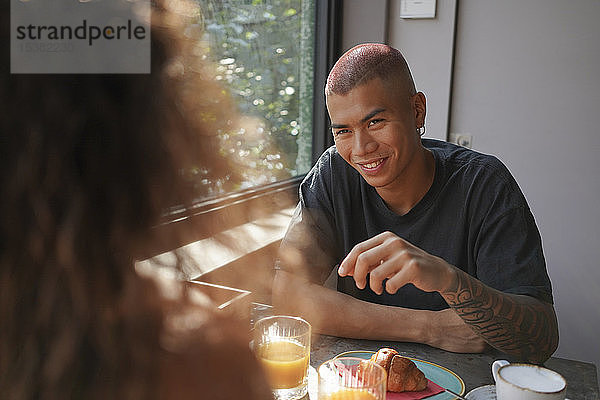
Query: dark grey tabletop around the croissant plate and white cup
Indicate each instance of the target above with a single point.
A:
(474, 369)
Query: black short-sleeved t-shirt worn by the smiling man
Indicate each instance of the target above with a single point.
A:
(474, 216)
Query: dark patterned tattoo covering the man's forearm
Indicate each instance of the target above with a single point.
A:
(518, 325)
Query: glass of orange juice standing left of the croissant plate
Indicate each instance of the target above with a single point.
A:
(282, 345)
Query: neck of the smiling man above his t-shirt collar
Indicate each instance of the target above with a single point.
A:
(412, 185)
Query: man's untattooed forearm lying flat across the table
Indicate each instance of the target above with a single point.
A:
(334, 313)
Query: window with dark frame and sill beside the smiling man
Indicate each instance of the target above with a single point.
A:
(273, 56)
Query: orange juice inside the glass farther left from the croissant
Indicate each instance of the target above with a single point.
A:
(285, 363)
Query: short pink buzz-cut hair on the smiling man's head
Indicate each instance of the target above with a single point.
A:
(365, 62)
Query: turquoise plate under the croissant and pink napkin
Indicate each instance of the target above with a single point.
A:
(434, 372)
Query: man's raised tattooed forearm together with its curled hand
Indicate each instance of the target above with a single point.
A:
(518, 325)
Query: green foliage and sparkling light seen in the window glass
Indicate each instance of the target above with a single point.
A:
(264, 52)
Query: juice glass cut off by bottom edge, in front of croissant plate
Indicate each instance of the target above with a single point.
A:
(351, 378)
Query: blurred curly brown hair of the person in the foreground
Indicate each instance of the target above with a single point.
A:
(88, 164)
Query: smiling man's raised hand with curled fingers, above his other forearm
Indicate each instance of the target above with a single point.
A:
(389, 256)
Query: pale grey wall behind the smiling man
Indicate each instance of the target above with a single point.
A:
(525, 85)
